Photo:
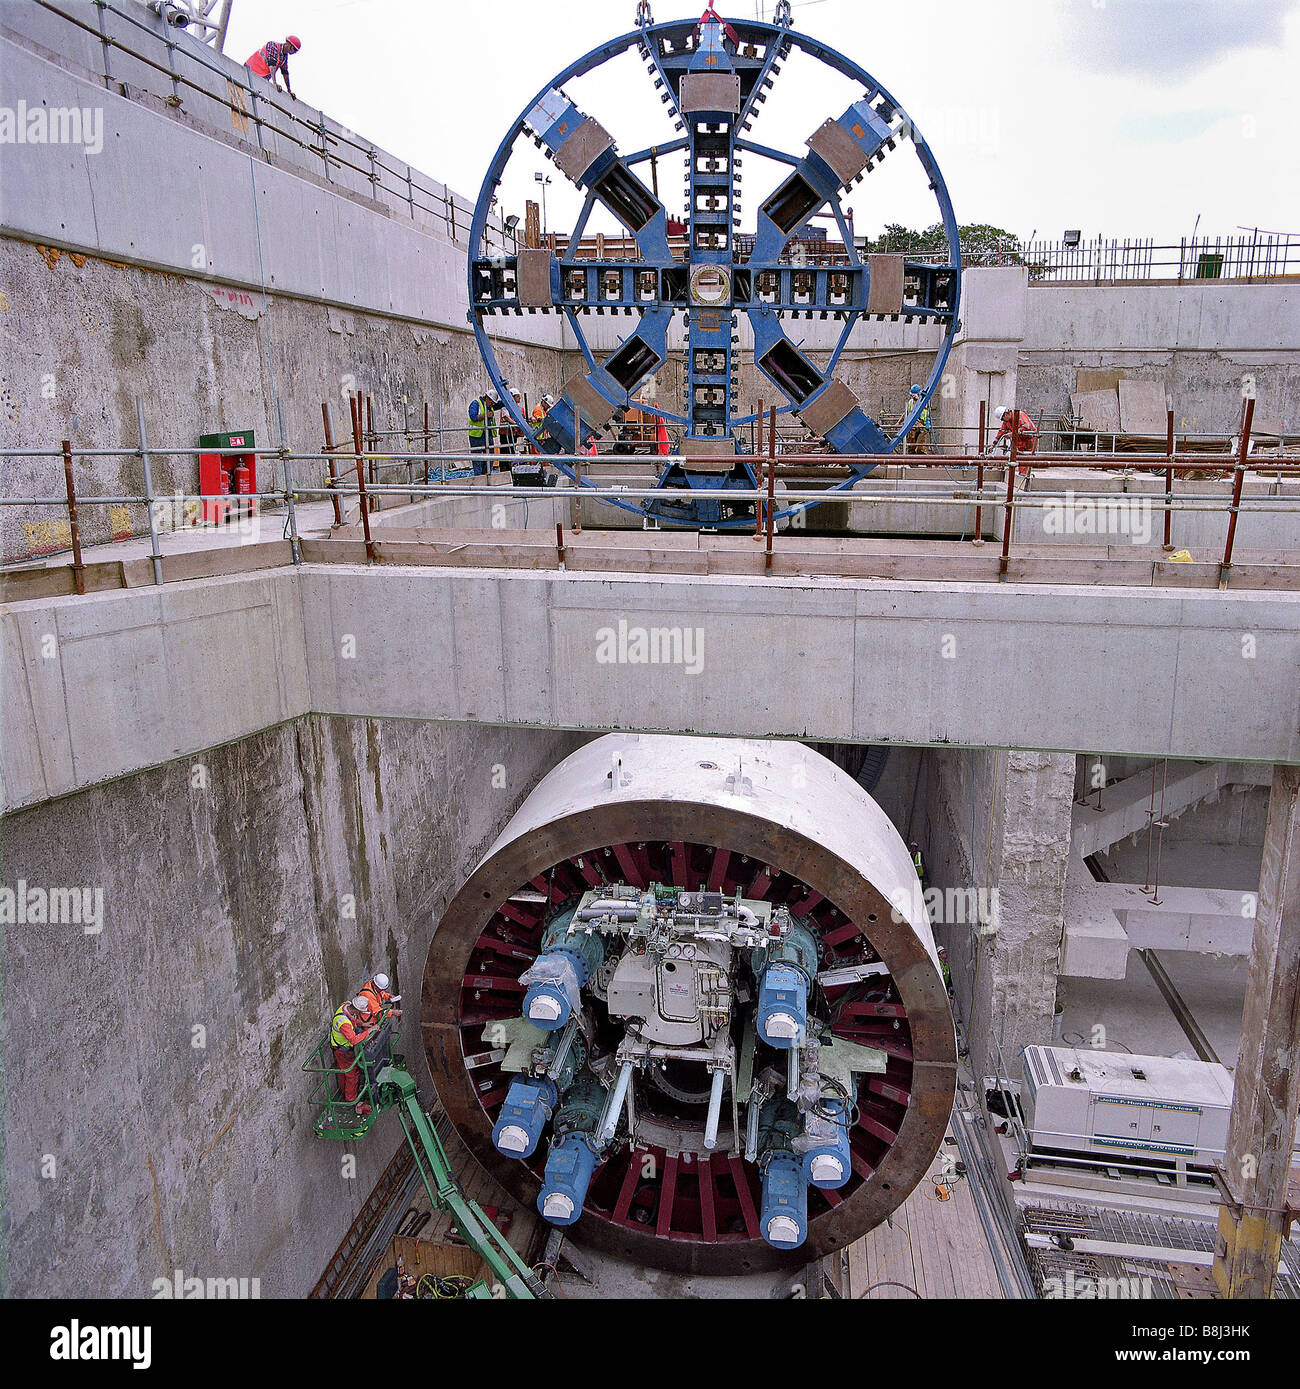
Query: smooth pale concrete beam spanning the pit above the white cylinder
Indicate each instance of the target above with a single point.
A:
(103, 685)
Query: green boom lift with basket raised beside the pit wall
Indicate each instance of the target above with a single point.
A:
(385, 1084)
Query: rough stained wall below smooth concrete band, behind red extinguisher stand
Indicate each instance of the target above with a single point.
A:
(87, 337)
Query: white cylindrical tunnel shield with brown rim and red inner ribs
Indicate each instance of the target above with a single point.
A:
(783, 826)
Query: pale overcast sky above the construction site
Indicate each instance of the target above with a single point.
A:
(1120, 117)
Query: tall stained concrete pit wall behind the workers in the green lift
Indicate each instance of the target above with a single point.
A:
(156, 1111)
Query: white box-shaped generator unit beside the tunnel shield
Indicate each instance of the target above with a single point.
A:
(1115, 1105)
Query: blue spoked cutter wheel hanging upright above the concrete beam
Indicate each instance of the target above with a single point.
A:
(713, 76)
